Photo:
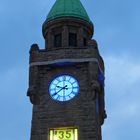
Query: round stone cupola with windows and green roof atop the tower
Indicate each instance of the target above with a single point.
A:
(67, 25)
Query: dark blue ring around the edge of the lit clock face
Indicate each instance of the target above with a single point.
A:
(61, 74)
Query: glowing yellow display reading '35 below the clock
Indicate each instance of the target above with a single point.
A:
(64, 133)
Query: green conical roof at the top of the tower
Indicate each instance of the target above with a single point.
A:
(68, 8)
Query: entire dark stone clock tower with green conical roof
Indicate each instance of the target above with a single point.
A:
(66, 78)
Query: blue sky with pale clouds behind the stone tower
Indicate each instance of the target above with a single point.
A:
(117, 32)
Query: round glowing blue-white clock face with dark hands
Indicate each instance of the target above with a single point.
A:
(63, 88)
